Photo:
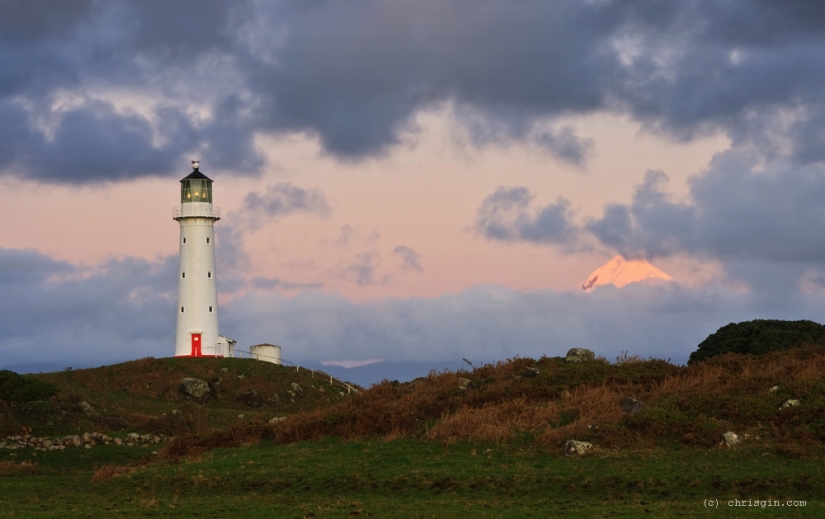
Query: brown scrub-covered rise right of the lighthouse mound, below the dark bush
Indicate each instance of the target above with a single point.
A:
(547, 401)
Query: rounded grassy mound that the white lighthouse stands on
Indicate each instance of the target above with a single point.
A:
(144, 395)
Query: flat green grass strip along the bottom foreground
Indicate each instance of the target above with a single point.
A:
(405, 478)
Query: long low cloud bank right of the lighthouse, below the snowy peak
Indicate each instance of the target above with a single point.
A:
(489, 323)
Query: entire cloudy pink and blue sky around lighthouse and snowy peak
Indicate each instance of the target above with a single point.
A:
(410, 181)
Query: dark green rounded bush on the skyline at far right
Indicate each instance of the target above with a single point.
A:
(758, 337)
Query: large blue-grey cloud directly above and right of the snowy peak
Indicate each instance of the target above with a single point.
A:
(758, 219)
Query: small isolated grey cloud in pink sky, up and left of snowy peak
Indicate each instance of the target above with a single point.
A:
(507, 215)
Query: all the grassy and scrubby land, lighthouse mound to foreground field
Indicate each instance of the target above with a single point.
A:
(480, 443)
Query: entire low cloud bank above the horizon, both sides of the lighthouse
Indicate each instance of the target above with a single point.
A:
(55, 314)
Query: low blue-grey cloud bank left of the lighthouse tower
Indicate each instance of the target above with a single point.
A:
(53, 310)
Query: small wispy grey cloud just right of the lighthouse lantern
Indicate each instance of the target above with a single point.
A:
(280, 200)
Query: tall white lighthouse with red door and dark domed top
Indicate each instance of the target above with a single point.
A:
(197, 332)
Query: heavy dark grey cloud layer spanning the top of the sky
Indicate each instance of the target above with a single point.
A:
(355, 75)
